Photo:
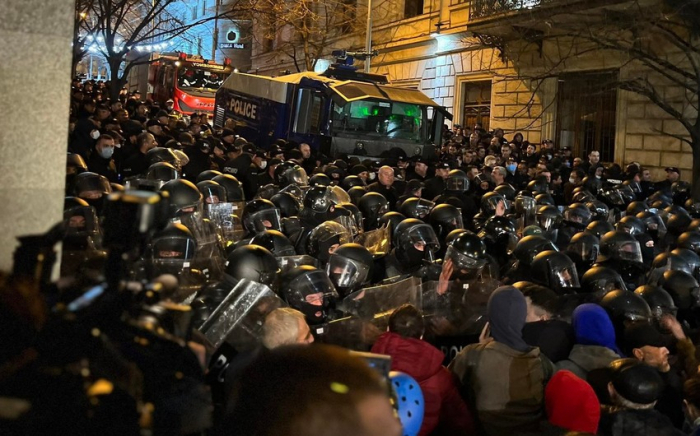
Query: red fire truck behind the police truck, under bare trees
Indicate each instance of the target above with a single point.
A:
(190, 81)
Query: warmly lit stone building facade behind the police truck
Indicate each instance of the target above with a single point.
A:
(438, 52)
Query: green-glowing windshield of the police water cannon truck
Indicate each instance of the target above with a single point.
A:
(381, 119)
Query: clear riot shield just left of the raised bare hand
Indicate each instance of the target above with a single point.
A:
(380, 301)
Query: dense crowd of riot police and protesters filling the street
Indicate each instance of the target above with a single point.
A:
(514, 287)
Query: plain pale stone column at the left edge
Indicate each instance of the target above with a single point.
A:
(35, 78)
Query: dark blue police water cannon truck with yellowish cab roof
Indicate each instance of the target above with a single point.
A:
(338, 111)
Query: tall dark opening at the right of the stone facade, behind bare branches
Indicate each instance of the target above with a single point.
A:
(586, 113)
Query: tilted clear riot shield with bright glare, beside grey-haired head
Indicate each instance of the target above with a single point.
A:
(240, 316)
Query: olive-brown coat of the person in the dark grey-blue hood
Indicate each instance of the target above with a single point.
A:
(505, 386)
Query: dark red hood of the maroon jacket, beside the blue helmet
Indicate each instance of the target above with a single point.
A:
(415, 357)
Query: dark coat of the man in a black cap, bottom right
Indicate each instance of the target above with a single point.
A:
(629, 422)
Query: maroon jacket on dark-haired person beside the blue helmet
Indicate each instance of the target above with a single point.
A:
(445, 411)
